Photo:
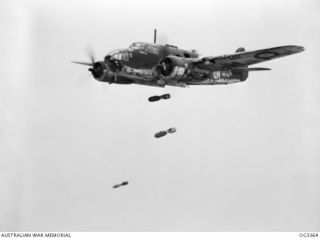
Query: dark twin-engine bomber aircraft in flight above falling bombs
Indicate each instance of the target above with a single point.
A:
(160, 65)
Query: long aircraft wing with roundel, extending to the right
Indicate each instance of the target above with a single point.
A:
(246, 58)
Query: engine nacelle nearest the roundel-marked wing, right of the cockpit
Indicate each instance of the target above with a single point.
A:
(174, 68)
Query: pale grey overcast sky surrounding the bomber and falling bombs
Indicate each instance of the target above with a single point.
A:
(245, 157)
